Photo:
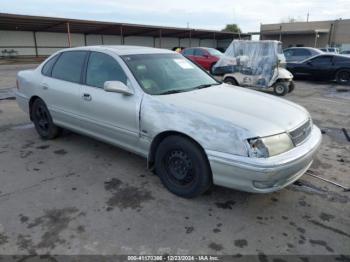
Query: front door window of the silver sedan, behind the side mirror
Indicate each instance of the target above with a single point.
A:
(101, 68)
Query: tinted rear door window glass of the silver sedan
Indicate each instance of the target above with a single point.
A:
(69, 66)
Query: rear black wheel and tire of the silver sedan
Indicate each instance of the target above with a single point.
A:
(43, 121)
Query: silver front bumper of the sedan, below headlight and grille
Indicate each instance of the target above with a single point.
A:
(264, 175)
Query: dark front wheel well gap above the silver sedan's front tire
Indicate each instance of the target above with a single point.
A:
(160, 137)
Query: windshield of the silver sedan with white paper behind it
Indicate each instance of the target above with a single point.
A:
(167, 73)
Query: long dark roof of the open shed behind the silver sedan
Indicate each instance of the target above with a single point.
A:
(54, 24)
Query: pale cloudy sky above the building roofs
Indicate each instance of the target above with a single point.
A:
(207, 14)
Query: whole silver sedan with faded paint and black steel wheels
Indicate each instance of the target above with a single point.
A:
(193, 130)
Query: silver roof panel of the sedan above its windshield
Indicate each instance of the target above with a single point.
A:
(123, 49)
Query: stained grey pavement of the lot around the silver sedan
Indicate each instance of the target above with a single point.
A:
(76, 195)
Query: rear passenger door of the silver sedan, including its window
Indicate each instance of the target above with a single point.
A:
(61, 86)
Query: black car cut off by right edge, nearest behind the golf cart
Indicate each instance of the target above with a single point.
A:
(323, 67)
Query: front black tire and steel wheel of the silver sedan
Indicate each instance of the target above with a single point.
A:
(182, 167)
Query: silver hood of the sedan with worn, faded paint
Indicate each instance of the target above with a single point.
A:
(258, 113)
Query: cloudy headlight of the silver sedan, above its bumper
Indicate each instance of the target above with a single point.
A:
(270, 145)
